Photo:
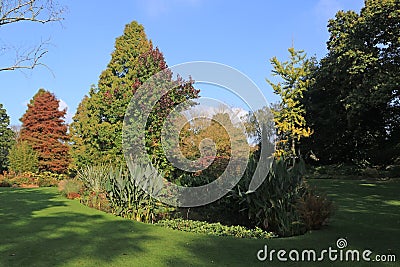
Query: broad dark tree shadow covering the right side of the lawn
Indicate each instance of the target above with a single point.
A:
(367, 216)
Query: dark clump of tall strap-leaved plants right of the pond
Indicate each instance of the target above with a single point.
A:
(273, 205)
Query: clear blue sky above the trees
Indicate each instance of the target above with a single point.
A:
(241, 34)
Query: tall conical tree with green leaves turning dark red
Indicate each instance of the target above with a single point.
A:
(96, 131)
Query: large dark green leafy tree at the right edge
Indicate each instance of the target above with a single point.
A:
(354, 104)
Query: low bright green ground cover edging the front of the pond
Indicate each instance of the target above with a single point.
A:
(214, 229)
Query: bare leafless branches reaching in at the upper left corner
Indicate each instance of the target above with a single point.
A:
(40, 11)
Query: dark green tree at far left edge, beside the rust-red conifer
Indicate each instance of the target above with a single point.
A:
(6, 138)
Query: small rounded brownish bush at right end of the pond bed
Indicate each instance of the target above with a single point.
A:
(315, 209)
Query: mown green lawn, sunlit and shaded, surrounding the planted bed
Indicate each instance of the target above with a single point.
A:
(40, 228)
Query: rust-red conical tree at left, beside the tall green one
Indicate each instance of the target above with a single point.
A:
(44, 129)
